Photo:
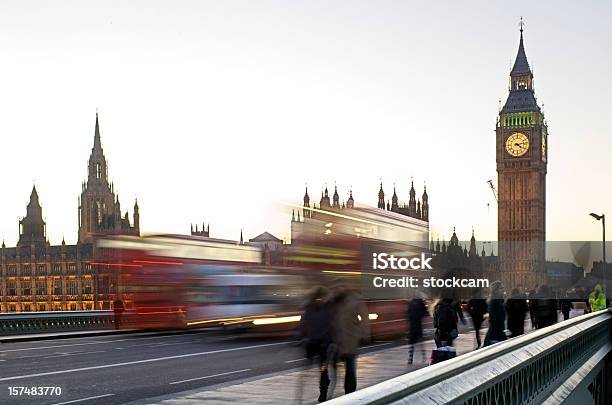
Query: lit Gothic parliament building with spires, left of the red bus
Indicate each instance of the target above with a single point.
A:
(36, 276)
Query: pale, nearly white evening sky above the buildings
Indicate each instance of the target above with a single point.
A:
(221, 111)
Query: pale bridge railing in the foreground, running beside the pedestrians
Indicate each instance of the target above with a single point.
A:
(567, 362)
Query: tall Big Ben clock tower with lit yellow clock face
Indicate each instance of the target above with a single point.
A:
(521, 137)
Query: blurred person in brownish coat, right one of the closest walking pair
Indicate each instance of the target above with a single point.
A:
(349, 328)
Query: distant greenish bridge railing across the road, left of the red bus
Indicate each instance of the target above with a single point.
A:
(42, 322)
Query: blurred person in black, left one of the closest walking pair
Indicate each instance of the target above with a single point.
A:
(316, 334)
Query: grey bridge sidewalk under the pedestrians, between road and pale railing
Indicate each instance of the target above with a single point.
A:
(284, 387)
